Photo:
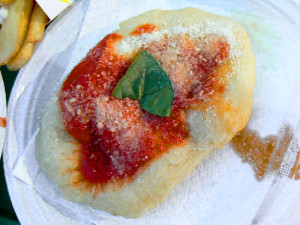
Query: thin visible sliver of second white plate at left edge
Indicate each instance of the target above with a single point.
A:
(2, 112)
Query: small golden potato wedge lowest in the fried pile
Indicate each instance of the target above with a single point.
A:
(22, 57)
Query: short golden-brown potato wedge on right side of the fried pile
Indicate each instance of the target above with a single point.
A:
(37, 25)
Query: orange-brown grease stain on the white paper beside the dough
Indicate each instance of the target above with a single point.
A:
(262, 154)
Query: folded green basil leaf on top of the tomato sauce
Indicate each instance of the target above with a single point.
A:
(146, 81)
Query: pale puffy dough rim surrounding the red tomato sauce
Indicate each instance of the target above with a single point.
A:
(211, 125)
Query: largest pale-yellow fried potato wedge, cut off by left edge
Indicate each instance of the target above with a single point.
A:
(14, 29)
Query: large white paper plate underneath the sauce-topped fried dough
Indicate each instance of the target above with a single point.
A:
(220, 203)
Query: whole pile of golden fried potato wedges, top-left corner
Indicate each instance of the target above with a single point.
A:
(23, 26)
